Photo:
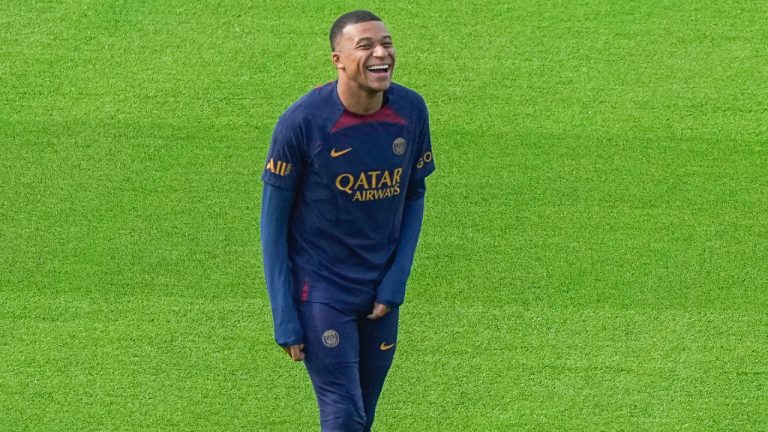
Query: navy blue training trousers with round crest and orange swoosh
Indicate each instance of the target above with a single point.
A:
(347, 356)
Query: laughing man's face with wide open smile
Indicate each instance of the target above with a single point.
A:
(365, 55)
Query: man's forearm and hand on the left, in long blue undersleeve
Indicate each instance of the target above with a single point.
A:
(276, 207)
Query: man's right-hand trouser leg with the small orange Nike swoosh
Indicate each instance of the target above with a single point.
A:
(377, 350)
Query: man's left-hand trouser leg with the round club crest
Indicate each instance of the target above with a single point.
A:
(331, 347)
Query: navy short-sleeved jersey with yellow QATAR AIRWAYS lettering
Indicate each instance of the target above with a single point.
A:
(351, 174)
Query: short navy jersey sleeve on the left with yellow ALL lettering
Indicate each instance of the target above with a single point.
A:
(286, 157)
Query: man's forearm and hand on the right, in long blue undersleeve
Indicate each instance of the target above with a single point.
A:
(391, 291)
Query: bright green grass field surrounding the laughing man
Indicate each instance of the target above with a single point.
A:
(595, 248)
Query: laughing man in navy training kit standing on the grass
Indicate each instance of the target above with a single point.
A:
(341, 214)
